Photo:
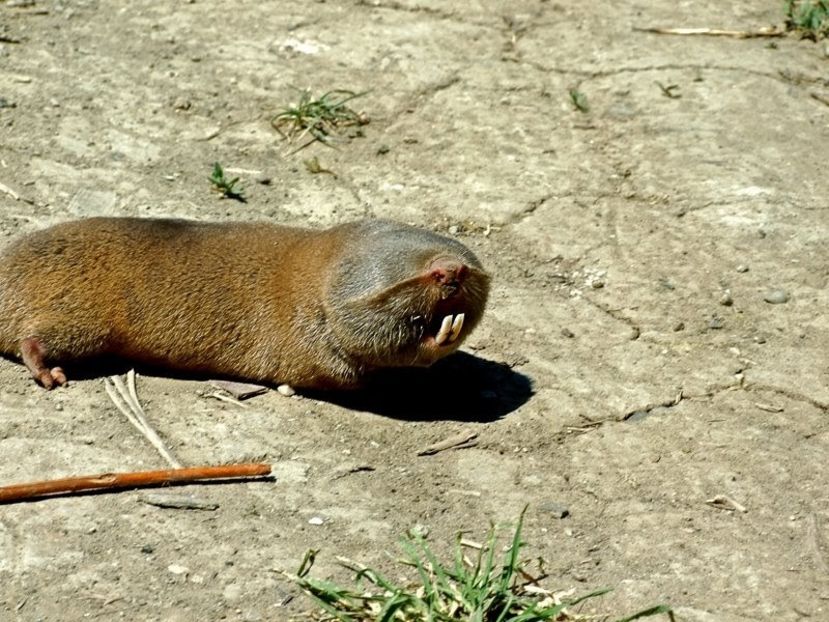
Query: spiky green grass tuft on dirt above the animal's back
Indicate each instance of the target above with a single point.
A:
(321, 117)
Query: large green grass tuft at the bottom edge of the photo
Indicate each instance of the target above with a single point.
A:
(476, 587)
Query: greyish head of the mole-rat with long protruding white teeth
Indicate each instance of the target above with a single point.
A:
(405, 297)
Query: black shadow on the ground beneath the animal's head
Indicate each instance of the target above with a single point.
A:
(461, 387)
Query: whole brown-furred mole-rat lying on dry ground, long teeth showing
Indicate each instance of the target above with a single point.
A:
(313, 309)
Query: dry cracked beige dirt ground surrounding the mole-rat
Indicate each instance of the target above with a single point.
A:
(629, 367)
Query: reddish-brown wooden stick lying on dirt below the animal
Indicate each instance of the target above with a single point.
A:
(114, 481)
